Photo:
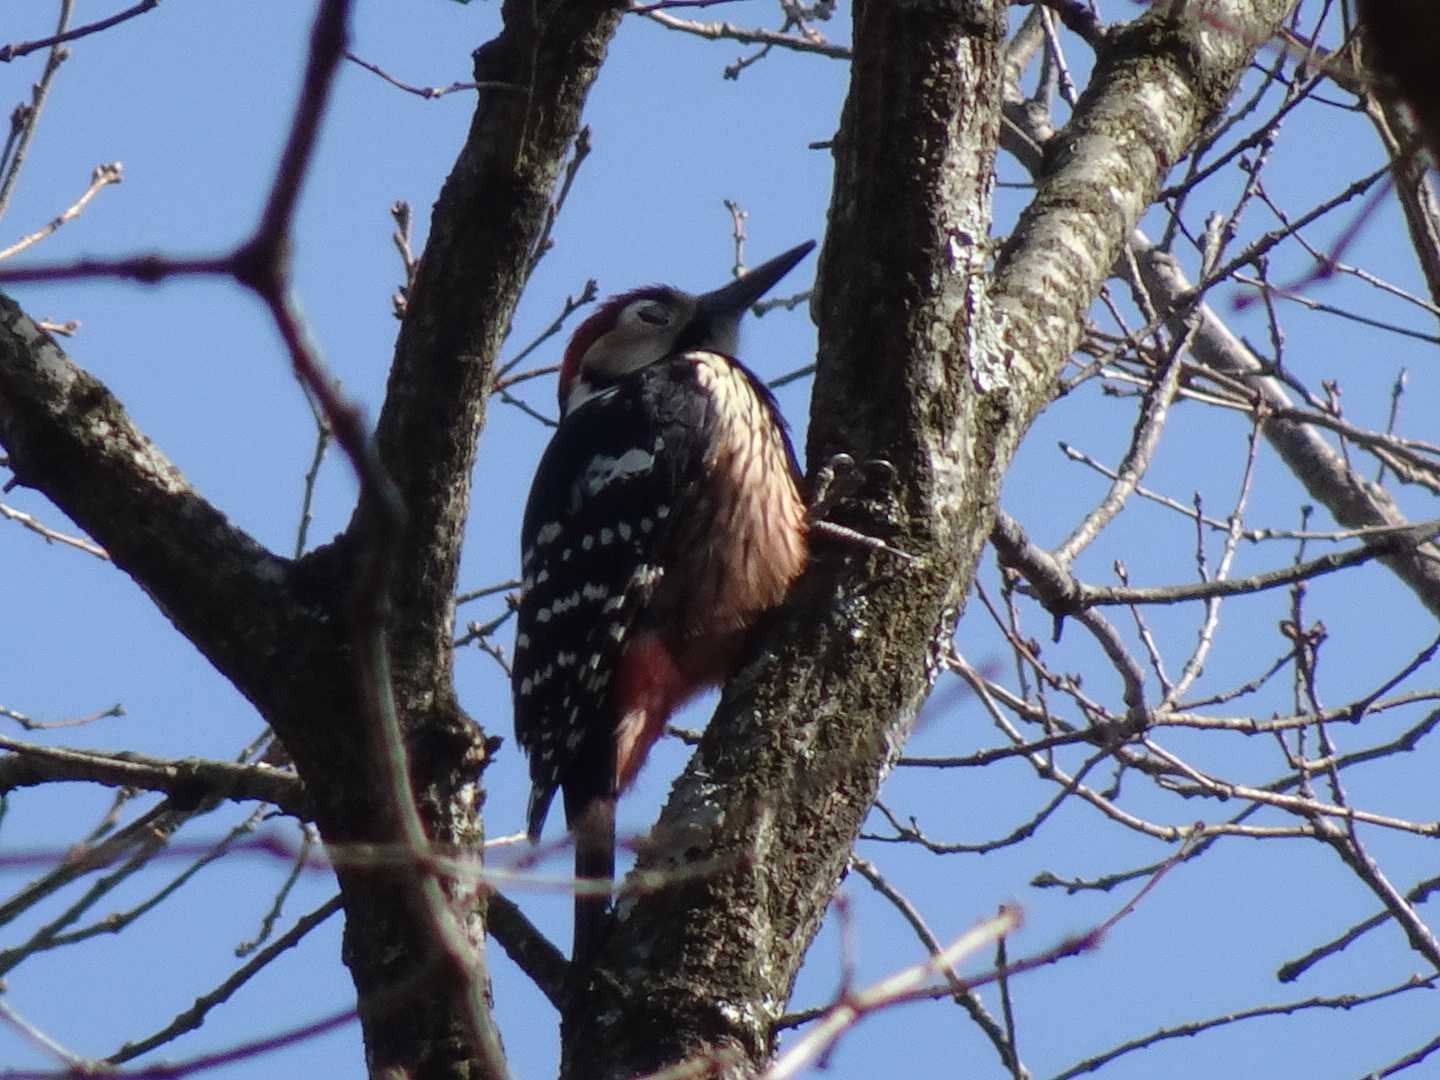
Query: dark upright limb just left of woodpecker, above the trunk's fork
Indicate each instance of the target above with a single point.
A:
(485, 230)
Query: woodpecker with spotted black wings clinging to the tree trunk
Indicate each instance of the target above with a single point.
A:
(665, 519)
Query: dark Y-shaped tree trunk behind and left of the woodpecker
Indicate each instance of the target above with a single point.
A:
(283, 631)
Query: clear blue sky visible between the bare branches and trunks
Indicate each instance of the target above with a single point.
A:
(195, 102)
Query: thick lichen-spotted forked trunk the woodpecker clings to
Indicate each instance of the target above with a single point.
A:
(924, 366)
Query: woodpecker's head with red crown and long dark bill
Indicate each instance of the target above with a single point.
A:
(637, 329)
